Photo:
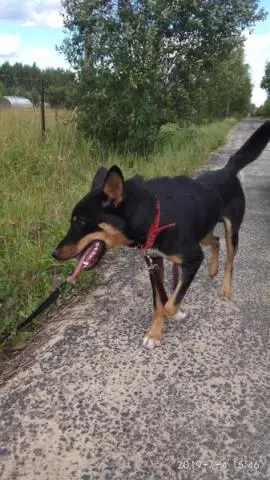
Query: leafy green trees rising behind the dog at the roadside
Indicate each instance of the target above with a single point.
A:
(143, 63)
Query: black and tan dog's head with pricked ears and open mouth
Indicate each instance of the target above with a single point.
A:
(102, 218)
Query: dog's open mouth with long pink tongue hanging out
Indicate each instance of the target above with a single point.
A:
(89, 257)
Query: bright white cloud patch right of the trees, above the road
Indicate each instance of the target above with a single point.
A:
(257, 52)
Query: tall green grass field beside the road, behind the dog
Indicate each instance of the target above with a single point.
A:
(41, 182)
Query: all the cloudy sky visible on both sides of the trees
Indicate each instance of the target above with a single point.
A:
(30, 29)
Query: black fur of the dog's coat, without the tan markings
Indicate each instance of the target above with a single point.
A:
(196, 206)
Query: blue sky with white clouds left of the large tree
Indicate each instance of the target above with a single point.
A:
(29, 31)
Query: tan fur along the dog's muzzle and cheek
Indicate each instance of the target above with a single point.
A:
(110, 236)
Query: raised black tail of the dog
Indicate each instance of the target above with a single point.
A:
(250, 150)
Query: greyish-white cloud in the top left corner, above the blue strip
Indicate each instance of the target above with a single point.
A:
(32, 12)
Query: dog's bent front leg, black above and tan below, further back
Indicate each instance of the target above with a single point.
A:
(190, 265)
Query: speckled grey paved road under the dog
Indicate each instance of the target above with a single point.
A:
(95, 404)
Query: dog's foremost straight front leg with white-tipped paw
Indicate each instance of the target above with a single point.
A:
(156, 273)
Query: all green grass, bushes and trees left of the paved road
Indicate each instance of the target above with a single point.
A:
(156, 81)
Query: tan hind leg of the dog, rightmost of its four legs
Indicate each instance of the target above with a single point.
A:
(225, 291)
